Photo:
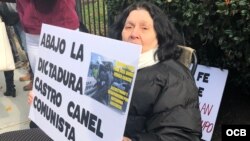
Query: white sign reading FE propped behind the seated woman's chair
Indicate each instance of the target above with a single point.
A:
(211, 82)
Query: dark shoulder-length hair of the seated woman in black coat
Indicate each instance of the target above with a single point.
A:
(167, 35)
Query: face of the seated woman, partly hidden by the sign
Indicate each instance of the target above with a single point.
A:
(139, 29)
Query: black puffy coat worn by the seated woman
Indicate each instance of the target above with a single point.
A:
(165, 105)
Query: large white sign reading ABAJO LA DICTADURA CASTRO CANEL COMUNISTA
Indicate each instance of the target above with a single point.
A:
(83, 85)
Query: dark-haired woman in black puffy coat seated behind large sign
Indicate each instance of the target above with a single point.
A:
(164, 106)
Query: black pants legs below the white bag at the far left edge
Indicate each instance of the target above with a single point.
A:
(9, 81)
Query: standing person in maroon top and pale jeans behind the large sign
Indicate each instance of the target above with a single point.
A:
(33, 13)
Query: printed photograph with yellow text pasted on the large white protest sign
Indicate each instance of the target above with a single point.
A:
(109, 82)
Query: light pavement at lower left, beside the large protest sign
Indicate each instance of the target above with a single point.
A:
(14, 111)
